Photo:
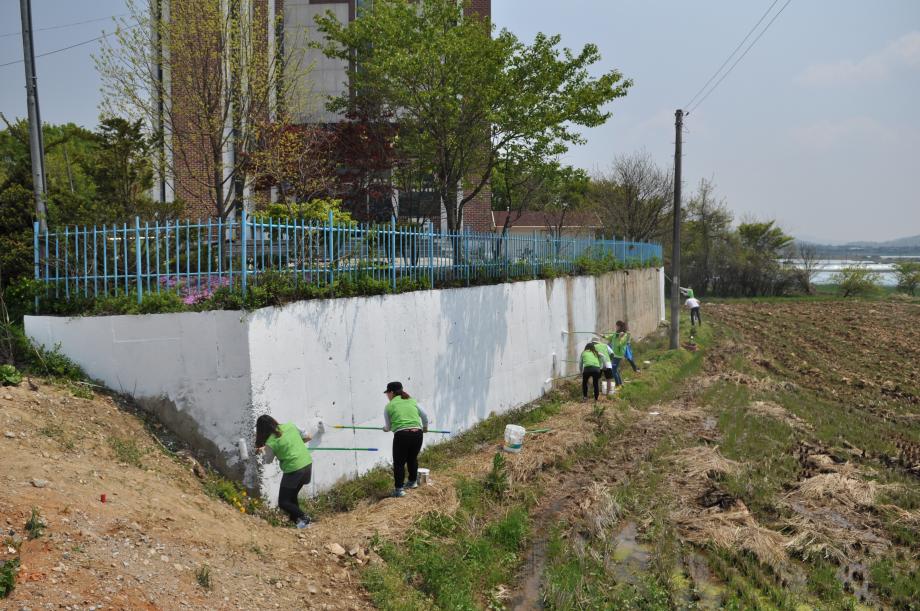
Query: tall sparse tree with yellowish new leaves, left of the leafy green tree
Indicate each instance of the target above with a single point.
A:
(202, 81)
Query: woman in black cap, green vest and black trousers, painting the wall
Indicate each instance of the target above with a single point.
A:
(408, 421)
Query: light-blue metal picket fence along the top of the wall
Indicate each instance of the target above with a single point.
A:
(195, 258)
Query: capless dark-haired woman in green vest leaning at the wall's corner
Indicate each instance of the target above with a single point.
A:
(286, 443)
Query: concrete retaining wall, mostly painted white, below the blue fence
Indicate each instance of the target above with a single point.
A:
(463, 353)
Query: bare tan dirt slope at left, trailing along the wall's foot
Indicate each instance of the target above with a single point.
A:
(145, 545)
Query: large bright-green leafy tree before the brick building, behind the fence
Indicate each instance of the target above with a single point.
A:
(460, 96)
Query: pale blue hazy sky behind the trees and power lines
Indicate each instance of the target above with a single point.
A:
(816, 127)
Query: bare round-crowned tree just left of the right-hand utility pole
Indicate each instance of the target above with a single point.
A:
(634, 197)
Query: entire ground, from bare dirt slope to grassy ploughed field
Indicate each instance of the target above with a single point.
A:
(773, 464)
